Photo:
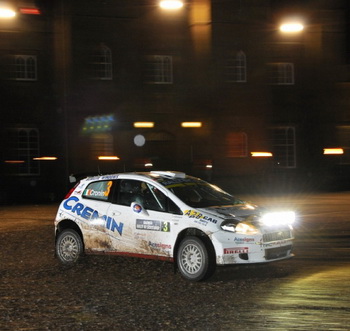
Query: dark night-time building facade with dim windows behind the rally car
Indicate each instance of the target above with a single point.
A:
(214, 89)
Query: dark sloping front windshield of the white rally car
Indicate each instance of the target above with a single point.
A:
(200, 194)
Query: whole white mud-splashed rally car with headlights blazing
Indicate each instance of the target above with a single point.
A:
(169, 216)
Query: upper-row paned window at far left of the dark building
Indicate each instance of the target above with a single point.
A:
(24, 67)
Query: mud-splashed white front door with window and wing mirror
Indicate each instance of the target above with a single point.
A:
(149, 217)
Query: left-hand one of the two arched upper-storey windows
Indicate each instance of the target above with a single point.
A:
(101, 63)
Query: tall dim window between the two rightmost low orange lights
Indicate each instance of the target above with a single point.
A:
(283, 144)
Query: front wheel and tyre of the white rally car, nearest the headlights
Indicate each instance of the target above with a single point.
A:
(194, 260)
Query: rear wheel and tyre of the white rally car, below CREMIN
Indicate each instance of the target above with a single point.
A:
(69, 246)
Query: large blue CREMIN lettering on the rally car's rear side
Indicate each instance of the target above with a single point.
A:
(73, 205)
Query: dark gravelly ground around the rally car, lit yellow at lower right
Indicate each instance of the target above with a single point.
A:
(309, 292)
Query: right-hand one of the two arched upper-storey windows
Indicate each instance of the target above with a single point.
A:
(236, 68)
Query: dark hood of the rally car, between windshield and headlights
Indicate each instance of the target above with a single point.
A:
(234, 211)
